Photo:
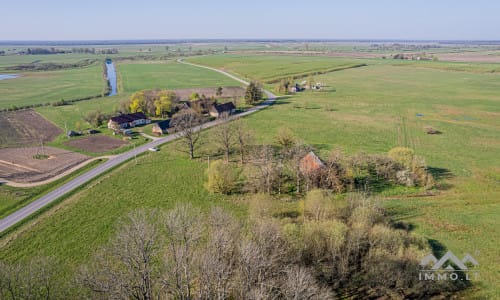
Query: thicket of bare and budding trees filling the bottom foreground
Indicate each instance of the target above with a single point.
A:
(338, 248)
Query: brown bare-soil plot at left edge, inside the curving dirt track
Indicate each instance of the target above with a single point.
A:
(19, 164)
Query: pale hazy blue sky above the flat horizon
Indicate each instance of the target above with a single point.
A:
(166, 19)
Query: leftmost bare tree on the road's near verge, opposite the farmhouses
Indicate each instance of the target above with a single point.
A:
(185, 124)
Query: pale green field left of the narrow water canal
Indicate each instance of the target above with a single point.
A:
(51, 86)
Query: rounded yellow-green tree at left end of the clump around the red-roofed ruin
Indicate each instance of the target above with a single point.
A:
(222, 178)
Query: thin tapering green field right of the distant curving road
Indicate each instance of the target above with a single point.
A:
(268, 68)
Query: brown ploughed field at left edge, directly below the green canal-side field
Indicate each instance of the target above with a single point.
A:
(25, 128)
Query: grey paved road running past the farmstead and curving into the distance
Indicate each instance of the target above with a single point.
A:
(31, 208)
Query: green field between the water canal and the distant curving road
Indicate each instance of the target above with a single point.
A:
(135, 76)
